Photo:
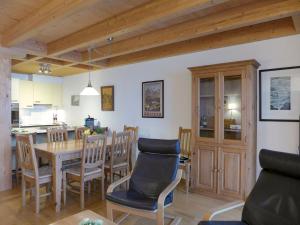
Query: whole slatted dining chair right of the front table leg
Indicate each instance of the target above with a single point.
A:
(92, 166)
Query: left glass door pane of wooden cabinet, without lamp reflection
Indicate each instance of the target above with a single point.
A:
(207, 107)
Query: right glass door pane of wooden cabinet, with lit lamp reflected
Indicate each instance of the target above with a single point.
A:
(232, 107)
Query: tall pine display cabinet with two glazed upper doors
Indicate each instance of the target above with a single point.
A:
(224, 129)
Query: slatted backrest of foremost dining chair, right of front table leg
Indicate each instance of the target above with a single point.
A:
(94, 150)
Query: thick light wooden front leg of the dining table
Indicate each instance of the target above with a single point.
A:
(57, 179)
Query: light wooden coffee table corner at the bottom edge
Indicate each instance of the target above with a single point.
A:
(76, 218)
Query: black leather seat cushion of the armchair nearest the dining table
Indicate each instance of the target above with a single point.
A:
(135, 200)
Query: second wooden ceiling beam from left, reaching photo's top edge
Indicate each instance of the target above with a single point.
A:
(126, 22)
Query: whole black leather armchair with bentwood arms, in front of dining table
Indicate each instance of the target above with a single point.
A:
(151, 183)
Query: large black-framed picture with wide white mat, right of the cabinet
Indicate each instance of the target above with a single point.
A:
(279, 94)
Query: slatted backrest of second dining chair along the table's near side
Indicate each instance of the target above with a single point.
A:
(120, 148)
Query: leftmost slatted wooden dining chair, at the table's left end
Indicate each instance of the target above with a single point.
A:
(31, 174)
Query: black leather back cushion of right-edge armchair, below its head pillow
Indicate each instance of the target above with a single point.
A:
(275, 200)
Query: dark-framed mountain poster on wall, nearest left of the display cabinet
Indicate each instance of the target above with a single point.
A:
(153, 99)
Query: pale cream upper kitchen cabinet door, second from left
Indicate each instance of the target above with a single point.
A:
(25, 94)
